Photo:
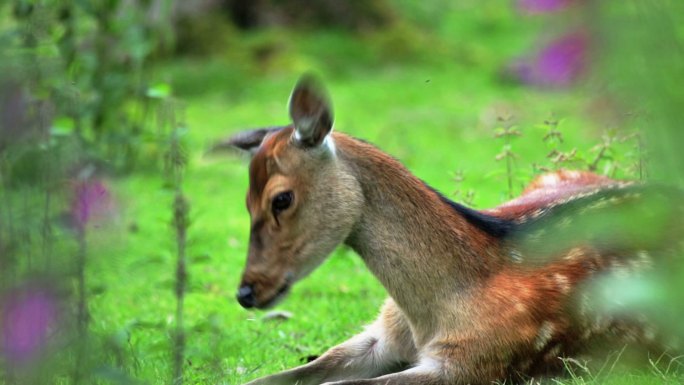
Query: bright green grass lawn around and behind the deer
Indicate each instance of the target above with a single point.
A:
(433, 106)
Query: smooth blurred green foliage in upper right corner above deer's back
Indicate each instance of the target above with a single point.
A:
(643, 67)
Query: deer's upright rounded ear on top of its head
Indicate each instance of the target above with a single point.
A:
(310, 111)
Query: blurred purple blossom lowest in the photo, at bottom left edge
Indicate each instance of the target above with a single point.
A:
(29, 316)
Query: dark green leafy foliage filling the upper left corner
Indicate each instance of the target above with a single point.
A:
(88, 62)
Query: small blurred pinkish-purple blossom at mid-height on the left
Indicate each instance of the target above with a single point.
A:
(91, 201)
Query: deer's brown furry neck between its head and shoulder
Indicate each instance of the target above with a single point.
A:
(422, 251)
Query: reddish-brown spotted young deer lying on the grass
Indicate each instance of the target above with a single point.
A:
(463, 308)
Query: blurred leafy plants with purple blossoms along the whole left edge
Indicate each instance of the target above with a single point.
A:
(71, 109)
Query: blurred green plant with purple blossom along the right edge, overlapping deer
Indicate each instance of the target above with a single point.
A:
(635, 69)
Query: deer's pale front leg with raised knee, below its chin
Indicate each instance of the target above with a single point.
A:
(384, 346)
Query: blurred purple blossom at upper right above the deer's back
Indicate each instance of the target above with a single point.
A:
(559, 64)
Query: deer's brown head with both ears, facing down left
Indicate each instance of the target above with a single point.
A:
(303, 201)
